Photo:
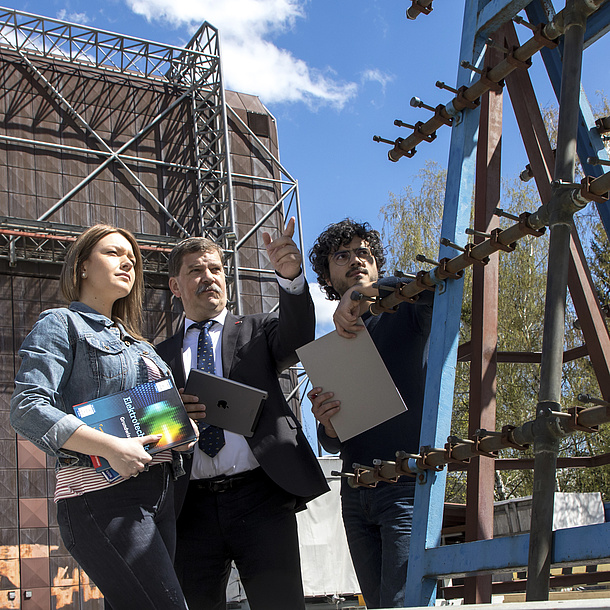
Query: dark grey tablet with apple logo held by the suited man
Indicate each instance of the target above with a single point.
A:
(228, 404)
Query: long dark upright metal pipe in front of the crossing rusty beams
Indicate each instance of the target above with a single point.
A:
(546, 444)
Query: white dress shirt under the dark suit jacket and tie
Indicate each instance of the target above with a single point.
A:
(236, 455)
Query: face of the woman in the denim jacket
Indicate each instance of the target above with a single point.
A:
(108, 274)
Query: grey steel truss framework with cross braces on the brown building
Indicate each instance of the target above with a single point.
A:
(194, 72)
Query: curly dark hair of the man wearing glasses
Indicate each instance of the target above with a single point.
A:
(335, 236)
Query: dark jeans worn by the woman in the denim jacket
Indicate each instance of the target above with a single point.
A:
(124, 538)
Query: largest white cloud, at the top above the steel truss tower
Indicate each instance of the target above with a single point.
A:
(252, 63)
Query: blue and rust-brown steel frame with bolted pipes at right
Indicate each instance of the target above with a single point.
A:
(491, 56)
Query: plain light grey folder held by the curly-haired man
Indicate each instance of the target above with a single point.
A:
(353, 370)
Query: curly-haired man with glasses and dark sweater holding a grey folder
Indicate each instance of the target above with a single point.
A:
(346, 257)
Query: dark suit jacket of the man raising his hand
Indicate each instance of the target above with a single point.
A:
(255, 350)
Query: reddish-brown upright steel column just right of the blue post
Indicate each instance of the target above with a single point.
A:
(484, 333)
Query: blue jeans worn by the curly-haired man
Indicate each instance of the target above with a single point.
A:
(378, 528)
